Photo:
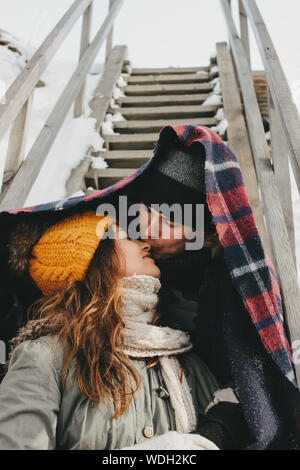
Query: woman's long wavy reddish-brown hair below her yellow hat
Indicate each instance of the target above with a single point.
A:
(85, 316)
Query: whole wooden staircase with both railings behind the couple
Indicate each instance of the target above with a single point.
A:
(253, 103)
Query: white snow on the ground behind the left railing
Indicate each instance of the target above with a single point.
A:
(75, 136)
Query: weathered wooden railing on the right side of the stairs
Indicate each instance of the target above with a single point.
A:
(272, 174)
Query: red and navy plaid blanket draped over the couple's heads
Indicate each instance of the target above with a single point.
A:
(251, 271)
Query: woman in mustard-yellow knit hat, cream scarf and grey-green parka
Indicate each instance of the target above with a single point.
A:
(92, 369)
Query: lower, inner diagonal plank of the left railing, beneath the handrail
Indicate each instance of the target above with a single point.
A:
(19, 190)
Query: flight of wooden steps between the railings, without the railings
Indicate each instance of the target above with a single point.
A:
(154, 98)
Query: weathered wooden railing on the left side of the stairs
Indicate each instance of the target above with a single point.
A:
(20, 172)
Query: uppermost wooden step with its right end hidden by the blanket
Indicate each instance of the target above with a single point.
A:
(130, 141)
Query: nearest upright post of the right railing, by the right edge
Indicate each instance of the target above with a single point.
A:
(280, 152)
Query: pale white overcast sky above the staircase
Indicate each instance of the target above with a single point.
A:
(160, 32)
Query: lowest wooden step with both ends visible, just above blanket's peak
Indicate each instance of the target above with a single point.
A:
(133, 126)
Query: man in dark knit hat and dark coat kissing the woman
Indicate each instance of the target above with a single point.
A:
(177, 183)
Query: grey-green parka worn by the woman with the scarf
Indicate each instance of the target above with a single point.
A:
(37, 413)
